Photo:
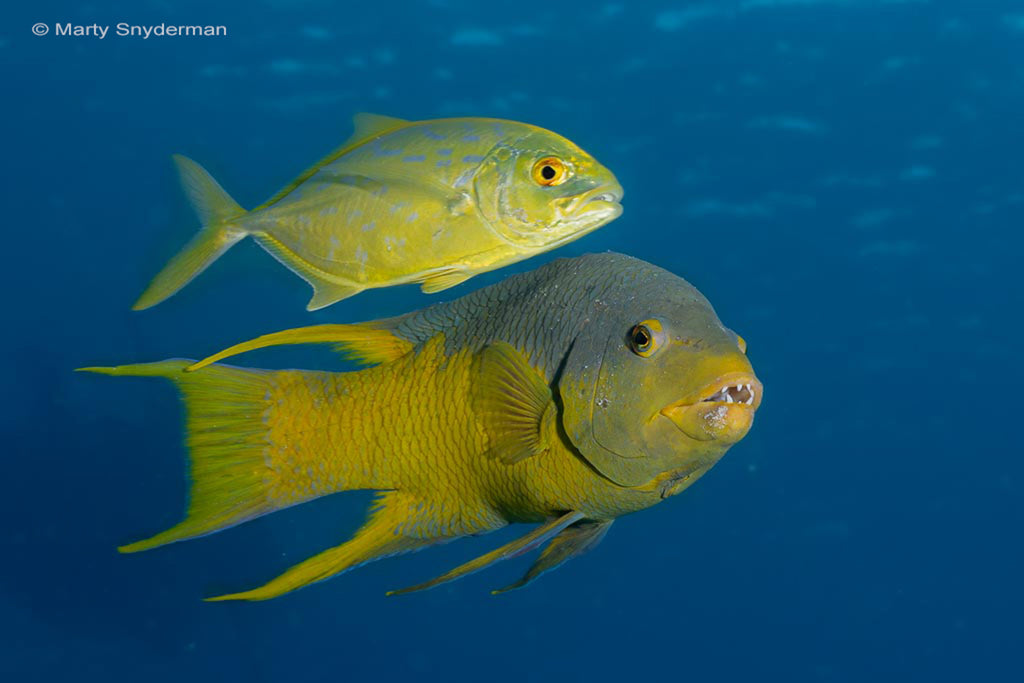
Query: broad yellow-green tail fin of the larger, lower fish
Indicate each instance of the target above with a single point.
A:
(231, 472)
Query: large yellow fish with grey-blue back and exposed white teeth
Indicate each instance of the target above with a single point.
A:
(567, 397)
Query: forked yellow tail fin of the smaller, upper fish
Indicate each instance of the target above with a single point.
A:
(217, 211)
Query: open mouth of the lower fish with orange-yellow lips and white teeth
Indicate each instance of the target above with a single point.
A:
(721, 411)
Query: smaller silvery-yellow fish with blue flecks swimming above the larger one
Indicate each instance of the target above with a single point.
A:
(430, 202)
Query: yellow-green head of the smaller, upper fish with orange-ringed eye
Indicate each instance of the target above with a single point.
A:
(538, 191)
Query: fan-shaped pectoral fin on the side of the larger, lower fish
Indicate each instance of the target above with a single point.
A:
(515, 404)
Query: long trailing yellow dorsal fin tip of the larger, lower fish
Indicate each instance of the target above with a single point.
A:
(365, 344)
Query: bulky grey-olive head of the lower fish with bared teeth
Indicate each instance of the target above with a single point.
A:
(657, 386)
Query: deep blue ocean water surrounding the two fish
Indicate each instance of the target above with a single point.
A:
(842, 179)
